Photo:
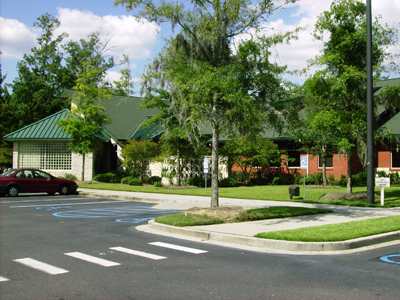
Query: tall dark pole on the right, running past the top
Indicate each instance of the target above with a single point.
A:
(370, 111)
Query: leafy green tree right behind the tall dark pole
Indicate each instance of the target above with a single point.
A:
(341, 84)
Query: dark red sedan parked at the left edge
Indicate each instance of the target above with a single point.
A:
(15, 181)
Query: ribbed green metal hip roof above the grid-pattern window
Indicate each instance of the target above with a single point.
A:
(46, 130)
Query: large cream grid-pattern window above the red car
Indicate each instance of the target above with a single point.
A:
(47, 156)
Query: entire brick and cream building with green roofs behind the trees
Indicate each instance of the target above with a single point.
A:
(43, 145)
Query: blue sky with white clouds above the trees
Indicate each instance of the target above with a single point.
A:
(142, 41)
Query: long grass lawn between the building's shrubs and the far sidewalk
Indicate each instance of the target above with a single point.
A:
(268, 192)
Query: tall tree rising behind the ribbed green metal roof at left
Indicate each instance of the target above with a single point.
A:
(41, 75)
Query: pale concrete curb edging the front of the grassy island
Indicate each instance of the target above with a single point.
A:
(277, 244)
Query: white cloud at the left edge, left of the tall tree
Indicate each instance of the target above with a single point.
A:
(16, 38)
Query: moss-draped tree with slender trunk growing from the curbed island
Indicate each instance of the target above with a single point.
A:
(221, 88)
